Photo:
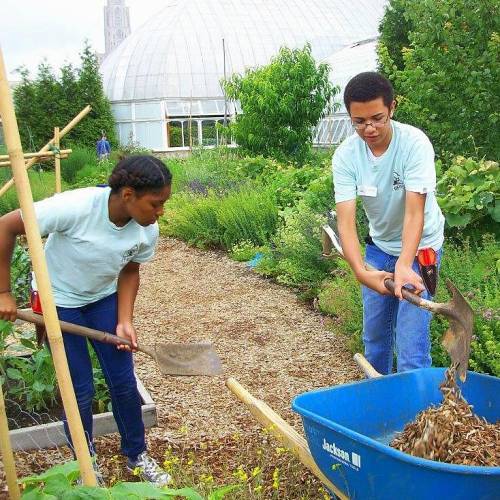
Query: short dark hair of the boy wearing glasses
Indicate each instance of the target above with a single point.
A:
(366, 87)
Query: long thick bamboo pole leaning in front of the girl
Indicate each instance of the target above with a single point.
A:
(13, 142)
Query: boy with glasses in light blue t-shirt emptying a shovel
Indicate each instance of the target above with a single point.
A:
(390, 166)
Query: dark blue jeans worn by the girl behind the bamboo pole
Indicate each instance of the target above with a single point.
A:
(118, 370)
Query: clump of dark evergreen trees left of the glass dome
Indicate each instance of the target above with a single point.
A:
(47, 101)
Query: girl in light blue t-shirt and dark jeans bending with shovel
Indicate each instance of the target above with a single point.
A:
(97, 239)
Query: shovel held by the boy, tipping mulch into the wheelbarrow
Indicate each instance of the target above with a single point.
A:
(456, 340)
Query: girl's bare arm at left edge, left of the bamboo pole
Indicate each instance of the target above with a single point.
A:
(11, 225)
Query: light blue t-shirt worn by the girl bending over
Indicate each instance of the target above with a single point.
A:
(85, 251)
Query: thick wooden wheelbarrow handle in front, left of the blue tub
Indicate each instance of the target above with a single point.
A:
(282, 430)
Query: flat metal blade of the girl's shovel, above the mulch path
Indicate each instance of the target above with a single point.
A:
(188, 359)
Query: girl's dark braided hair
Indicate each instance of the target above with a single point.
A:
(143, 173)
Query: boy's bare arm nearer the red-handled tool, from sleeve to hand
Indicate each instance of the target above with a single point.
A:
(413, 225)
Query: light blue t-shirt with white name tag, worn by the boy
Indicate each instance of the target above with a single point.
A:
(382, 182)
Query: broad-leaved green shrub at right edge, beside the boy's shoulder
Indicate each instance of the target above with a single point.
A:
(469, 194)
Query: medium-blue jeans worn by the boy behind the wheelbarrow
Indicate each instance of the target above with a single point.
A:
(390, 324)
